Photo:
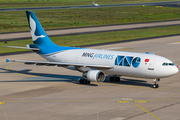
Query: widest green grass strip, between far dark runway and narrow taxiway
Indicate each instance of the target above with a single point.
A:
(16, 21)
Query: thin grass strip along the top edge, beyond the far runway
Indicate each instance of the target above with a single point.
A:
(48, 3)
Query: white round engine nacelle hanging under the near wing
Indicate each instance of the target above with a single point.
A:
(94, 76)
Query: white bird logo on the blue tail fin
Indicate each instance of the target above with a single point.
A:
(33, 29)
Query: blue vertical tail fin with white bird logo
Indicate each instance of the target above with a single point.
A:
(38, 34)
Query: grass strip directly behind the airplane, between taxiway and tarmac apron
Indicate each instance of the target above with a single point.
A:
(86, 39)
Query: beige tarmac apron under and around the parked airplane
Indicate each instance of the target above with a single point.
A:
(53, 93)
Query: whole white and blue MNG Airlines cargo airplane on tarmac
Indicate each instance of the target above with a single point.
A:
(95, 64)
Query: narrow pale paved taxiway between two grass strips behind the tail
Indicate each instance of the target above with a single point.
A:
(89, 30)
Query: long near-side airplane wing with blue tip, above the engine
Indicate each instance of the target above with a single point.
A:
(61, 64)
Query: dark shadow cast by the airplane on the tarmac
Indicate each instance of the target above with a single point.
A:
(44, 77)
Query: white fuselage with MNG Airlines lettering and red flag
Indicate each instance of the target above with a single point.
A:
(124, 63)
